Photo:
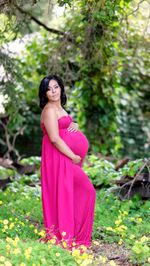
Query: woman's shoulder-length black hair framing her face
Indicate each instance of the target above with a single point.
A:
(43, 88)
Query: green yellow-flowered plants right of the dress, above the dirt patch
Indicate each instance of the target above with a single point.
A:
(126, 223)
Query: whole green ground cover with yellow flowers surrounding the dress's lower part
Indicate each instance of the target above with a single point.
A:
(120, 231)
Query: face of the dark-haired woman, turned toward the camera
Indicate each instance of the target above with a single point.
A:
(54, 91)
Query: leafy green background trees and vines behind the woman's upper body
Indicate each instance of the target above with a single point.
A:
(96, 48)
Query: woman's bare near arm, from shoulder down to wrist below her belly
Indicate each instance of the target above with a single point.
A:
(51, 125)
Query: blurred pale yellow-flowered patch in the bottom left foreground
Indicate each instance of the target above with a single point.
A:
(32, 253)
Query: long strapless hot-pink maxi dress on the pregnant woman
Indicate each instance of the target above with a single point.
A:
(68, 195)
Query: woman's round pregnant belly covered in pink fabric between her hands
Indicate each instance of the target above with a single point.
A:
(77, 142)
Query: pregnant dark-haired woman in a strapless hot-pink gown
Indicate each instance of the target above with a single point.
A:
(68, 196)
